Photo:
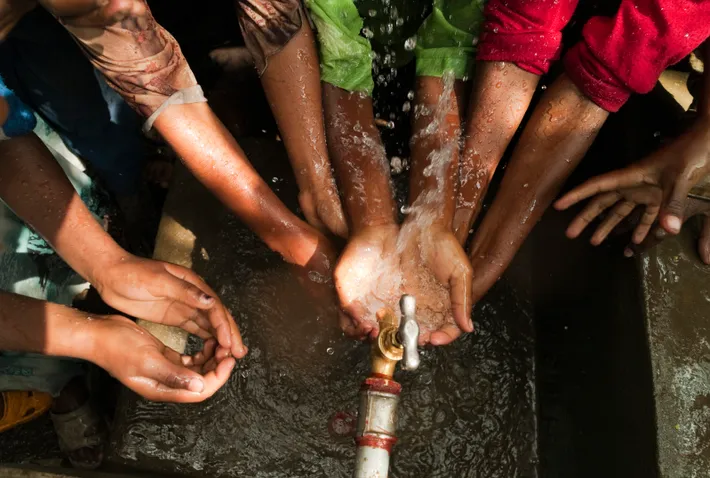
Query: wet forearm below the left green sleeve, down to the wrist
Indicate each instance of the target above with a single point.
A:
(359, 158)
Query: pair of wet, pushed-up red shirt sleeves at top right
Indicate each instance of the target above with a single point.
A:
(617, 56)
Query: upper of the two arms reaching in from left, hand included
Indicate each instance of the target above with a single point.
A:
(37, 190)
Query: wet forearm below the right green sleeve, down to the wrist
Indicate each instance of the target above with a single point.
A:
(435, 149)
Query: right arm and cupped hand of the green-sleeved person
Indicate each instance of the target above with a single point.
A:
(435, 268)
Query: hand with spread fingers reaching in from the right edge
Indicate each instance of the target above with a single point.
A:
(673, 170)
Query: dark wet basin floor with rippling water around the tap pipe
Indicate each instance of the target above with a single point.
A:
(468, 411)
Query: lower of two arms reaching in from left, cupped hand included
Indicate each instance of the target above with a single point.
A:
(134, 357)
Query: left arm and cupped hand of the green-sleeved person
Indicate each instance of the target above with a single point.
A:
(366, 276)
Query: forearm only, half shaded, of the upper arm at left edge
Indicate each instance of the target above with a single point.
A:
(38, 191)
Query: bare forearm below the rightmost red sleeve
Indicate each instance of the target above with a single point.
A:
(560, 131)
